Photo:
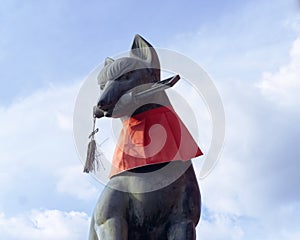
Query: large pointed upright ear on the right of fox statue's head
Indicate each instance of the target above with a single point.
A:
(142, 49)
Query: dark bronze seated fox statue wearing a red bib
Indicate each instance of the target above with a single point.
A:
(153, 138)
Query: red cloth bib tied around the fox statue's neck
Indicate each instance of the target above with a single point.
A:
(154, 136)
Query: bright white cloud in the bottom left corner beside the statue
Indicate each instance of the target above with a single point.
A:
(46, 225)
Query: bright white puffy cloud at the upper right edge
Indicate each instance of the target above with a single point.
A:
(283, 86)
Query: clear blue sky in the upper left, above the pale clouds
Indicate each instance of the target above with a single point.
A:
(61, 38)
